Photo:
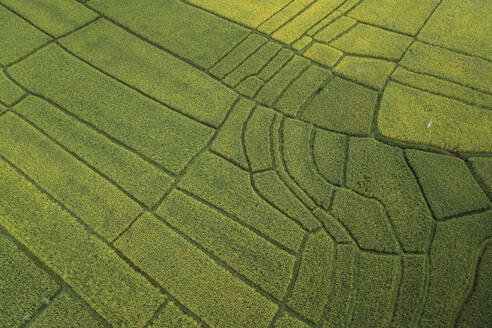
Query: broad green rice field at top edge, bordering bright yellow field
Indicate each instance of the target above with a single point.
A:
(198, 37)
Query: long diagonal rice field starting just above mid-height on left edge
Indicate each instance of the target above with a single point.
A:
(98, 203)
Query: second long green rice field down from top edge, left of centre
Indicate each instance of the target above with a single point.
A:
(152, 71)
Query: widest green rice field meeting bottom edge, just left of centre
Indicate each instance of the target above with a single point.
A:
(199, 283)
